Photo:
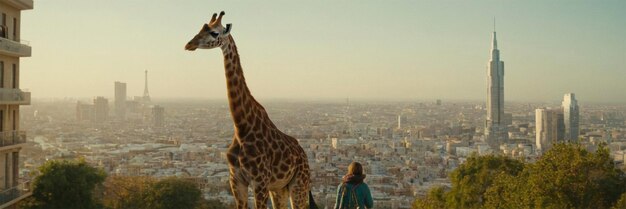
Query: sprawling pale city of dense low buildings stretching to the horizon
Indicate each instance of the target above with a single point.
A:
(401, 163)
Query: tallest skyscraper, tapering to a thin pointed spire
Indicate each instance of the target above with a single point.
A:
(495, 127)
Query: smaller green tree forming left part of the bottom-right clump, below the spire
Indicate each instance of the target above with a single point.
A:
(472, 179)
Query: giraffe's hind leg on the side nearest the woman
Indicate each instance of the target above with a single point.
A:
(299, 188)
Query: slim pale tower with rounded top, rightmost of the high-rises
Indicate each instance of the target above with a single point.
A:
(571, 117)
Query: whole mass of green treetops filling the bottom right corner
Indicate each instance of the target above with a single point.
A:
(567, 176)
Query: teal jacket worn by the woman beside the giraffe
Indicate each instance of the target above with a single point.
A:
(363, 195)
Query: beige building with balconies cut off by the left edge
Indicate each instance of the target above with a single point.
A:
(12, 48)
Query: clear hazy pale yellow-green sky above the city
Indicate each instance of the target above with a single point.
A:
(330, 49)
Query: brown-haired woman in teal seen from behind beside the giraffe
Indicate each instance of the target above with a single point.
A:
(353, 192)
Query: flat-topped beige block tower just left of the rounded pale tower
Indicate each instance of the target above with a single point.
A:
(549, 128)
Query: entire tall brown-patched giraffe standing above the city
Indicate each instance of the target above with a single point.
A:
(260, 156)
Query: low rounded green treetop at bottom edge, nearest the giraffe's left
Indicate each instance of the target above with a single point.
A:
(173, 193)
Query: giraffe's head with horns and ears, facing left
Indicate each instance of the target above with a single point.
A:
(211, 35)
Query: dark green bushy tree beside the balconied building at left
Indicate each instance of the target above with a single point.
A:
(65, 185)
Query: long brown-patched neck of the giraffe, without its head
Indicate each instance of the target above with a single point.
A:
(247, 113)
